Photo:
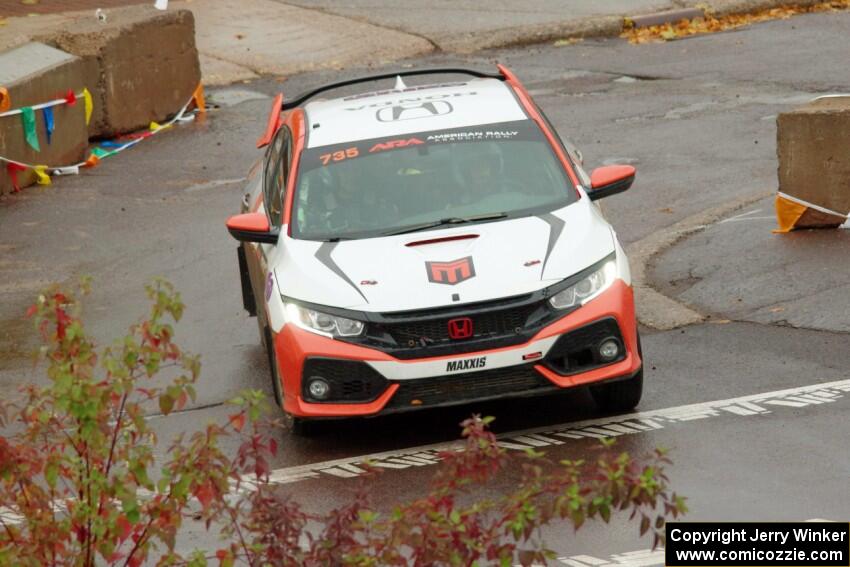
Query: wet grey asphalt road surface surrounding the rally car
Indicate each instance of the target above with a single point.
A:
(696, 117)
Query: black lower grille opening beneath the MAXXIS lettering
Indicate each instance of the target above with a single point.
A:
(459, 388)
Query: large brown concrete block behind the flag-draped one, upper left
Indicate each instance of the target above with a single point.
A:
(147, 61)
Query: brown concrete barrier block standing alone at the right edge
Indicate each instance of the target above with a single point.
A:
(813, 146)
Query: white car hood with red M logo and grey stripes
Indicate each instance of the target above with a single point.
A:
(456, 265)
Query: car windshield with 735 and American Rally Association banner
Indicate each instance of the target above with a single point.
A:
(422, 181)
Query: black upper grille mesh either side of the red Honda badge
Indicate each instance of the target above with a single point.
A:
(436, 331)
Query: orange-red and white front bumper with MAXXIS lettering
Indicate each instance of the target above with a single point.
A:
(369, 381)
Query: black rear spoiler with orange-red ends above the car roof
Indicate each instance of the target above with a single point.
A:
(278, 104)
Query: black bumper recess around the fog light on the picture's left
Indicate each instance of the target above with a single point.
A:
(350, 380)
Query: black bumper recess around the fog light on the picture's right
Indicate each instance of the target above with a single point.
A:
(576, 351)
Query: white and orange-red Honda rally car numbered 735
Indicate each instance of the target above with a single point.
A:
(432, 245)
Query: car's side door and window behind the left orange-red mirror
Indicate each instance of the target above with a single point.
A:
(275, 174)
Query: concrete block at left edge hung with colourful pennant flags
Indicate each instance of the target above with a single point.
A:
(35, 73)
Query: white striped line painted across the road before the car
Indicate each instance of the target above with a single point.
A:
(612, 426)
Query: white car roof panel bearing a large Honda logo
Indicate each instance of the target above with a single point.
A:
(421, 108)
